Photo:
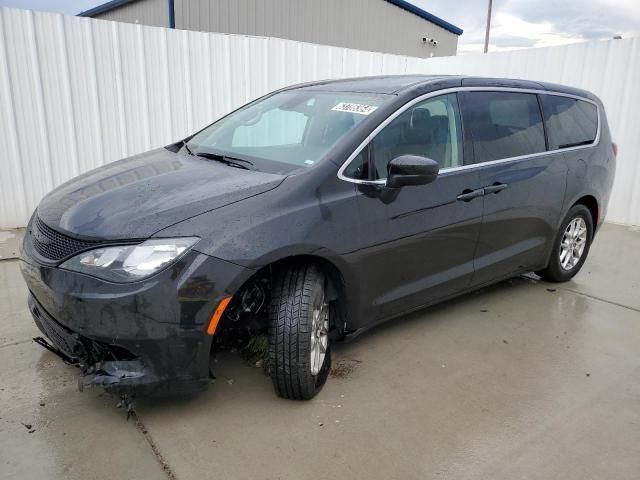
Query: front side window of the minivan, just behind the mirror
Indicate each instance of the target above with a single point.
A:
(429, 129)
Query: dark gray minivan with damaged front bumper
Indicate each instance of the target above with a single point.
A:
(309, 215)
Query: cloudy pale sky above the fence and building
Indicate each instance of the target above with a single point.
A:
(515, 24)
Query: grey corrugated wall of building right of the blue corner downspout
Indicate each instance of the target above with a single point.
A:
(375, 25)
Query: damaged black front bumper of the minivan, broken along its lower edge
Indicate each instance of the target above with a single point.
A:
(143, 338)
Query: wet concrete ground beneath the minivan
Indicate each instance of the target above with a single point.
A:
(522, 380)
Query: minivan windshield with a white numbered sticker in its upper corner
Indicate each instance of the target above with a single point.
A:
(287, 131)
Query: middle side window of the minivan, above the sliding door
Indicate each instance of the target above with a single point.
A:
(503, 124)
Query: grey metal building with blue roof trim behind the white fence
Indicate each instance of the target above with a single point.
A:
(389, 26)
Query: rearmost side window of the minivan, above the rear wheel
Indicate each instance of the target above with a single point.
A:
(570, 122)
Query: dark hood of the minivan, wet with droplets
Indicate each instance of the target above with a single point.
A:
(138, 196)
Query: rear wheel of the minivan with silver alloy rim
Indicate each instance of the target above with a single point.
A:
(564, 265)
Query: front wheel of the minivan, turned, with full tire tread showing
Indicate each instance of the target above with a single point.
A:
(297, 295)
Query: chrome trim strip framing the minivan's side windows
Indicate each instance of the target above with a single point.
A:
(445, 91)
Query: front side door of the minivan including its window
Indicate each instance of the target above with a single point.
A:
(419, 241)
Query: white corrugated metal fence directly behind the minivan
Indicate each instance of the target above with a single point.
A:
(76, 93)
